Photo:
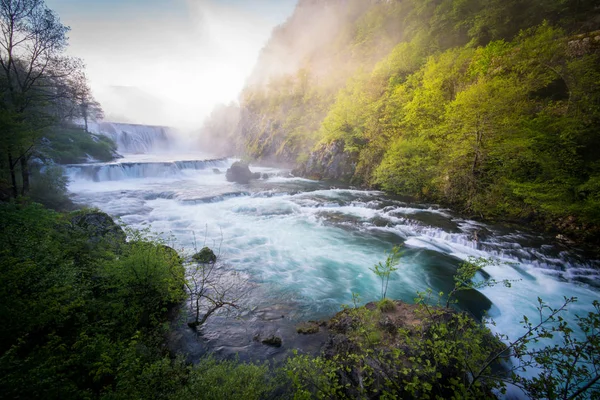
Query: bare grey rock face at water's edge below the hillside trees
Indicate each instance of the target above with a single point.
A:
(329, 161)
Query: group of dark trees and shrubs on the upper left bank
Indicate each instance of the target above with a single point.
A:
(41, 90)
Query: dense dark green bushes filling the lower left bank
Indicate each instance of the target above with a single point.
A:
(79, 306)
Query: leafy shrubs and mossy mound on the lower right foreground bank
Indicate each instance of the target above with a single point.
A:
(430, 351)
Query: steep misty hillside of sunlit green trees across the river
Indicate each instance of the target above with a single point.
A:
(490, 107)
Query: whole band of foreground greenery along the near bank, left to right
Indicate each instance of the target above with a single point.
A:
(83, 314)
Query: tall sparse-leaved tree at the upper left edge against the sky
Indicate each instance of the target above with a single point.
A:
(35, 75)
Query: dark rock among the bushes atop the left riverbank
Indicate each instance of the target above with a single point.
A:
(98, 225)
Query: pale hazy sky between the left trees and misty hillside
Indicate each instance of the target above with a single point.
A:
(168, 62)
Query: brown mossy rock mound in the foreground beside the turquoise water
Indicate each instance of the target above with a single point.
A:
(394, 341)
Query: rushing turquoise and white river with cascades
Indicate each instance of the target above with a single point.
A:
(306, 245)
